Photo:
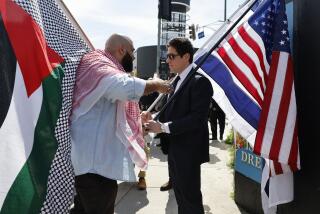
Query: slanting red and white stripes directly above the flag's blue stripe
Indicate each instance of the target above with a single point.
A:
(244, 55)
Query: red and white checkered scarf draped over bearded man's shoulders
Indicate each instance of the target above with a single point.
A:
(93, 67)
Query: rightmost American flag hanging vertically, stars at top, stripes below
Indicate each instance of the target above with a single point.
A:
(278, 116)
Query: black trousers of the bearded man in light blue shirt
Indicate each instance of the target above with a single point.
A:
(95, 194)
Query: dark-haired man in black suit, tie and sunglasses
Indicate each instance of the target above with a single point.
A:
(183, 127)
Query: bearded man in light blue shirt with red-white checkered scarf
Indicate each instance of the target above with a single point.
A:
(106, 126)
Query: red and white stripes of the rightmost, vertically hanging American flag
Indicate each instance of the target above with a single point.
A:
(277, 132)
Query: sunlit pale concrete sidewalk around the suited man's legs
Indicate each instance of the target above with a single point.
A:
(217, 186)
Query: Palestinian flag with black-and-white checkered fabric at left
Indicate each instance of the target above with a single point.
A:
(39, 52)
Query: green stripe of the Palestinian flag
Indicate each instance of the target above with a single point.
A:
(28, 191)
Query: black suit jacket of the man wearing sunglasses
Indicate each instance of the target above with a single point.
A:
(188, 112)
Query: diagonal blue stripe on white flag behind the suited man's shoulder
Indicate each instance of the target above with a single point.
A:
(243, 104)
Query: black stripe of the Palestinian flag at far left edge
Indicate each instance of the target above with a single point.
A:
(8, 63)
